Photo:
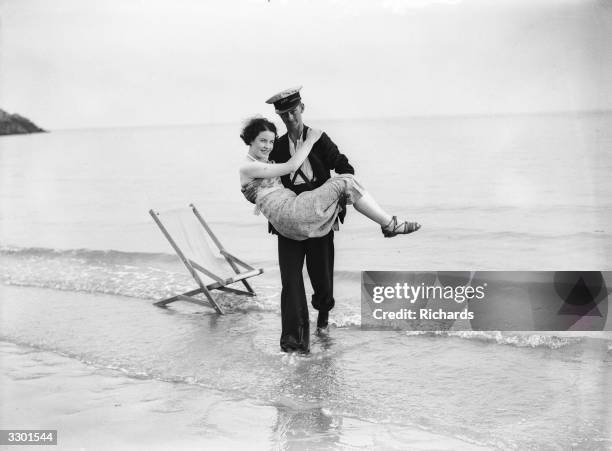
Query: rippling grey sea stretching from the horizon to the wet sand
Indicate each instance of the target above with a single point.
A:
(82, 261)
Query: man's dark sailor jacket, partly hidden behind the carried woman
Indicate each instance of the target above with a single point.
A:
(323, 158)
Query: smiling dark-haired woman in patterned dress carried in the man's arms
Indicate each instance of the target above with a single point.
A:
(312, 213)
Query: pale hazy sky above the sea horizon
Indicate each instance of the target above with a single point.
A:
(82, 63)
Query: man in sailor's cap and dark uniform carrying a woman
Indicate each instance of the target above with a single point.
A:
(318, 252)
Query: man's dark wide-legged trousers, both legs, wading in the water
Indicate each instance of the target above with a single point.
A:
(319, 255)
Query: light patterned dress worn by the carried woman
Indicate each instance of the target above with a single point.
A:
(307, 215)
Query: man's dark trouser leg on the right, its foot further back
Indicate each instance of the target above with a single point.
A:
(320, 265)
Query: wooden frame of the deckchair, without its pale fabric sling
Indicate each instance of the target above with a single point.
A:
(193, 268)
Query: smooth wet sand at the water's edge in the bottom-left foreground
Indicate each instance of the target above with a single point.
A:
(97, 408)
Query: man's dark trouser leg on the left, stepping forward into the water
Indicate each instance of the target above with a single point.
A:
(295, 335)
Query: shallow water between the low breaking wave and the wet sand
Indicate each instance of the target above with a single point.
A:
(503, 390)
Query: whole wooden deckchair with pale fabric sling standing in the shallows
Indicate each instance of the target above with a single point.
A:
(203, 265)
